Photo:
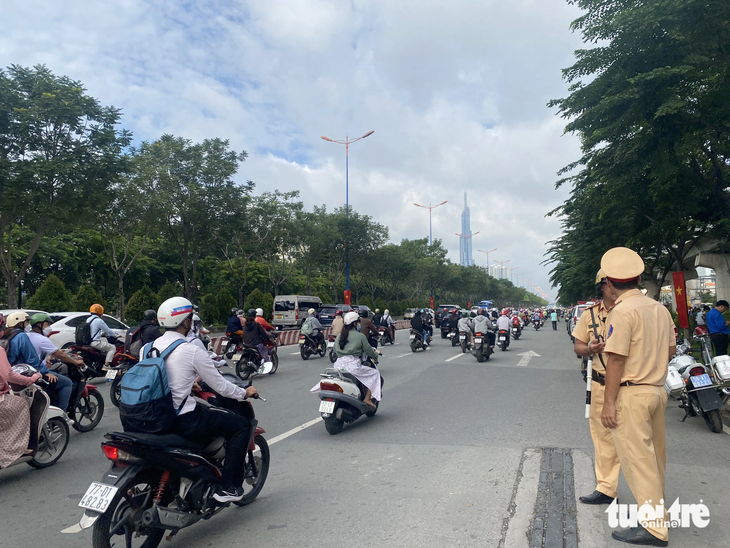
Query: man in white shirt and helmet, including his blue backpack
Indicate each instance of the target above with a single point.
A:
(174, 411)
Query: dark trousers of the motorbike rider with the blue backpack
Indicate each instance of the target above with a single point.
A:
(204, 425)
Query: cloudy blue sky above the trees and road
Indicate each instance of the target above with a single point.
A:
(455, 92)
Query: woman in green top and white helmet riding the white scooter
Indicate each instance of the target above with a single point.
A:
(350, 346)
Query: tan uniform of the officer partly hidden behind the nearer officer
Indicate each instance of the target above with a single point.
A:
(605, 456)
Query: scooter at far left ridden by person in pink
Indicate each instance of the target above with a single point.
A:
(49, 433)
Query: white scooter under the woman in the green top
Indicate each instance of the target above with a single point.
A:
(342, 398)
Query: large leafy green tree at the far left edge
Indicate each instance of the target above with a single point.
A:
(59, 151)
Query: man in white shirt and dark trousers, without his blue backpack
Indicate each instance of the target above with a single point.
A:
(197, 423)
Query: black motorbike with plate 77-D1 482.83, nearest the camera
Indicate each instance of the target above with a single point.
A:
(166, 482)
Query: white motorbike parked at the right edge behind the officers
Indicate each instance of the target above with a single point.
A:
(695, 386)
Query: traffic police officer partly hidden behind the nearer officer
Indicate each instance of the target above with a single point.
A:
(589, 334)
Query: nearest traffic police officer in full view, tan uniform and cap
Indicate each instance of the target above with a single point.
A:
(639, 343)
